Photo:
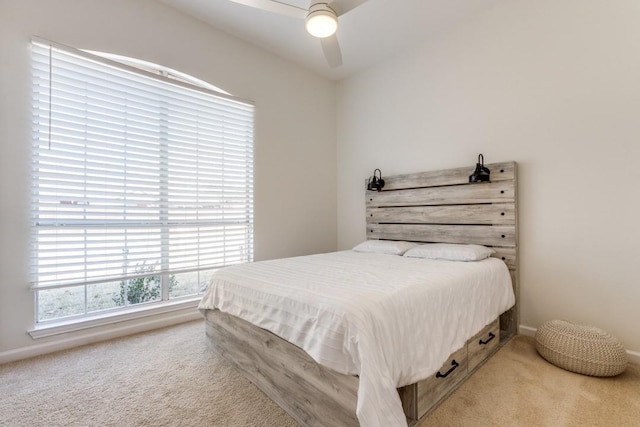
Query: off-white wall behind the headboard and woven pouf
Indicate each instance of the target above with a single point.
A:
(551, 84)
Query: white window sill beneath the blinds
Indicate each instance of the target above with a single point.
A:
(63, 327)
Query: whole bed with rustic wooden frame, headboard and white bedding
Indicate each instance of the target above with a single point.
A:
(360, 366)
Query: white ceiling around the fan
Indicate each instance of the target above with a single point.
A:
(368, 34)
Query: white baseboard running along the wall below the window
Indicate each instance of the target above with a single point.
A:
(88, 336)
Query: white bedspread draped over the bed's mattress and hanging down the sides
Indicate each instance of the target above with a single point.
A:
(389, 319)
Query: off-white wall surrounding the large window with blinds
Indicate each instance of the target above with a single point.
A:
(291, 218)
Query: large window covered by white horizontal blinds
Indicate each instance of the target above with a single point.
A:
(142, 184)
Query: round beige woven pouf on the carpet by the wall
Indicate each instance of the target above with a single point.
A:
(583, 349)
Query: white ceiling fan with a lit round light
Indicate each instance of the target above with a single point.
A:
(321, 20)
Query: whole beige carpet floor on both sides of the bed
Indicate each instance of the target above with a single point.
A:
(170, 377)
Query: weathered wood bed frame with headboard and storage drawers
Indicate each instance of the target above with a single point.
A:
(439, 206)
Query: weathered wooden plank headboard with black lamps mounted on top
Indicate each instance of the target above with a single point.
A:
(443, 207)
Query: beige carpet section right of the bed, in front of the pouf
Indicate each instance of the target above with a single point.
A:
(517, 387)
